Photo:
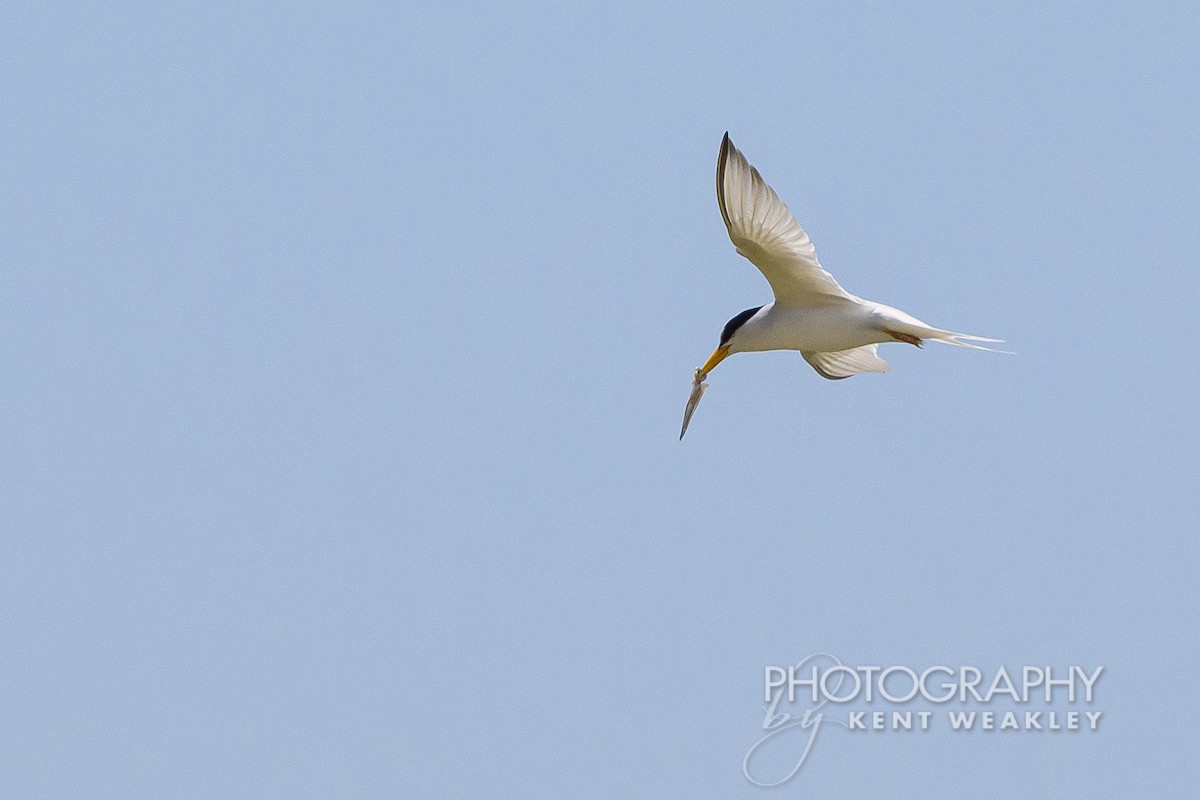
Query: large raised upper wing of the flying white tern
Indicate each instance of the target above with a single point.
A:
(766, 233)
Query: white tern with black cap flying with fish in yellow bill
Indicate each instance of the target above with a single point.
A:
(837, 333)
